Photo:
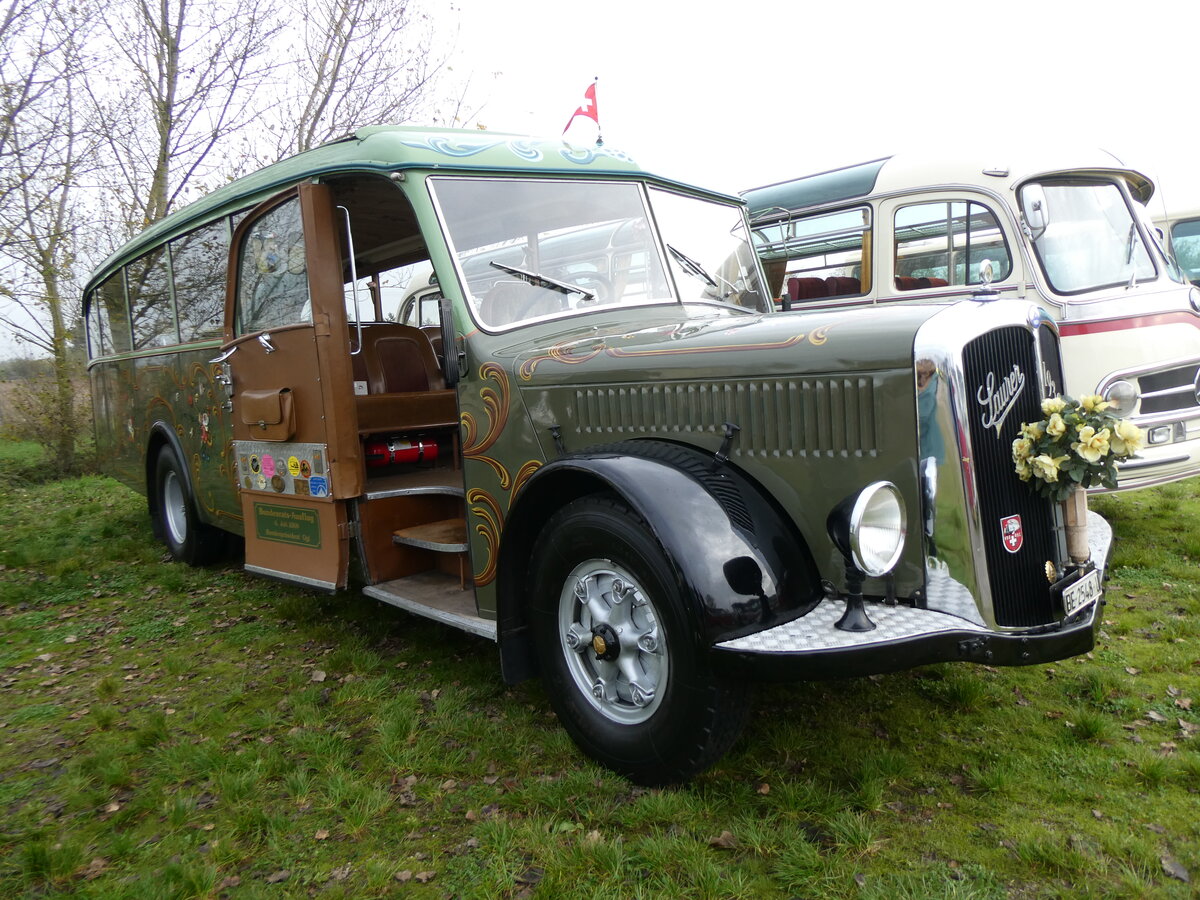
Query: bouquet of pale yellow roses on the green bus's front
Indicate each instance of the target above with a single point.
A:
(1078, 445)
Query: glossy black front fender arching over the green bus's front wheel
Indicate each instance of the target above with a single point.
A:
(734, 554)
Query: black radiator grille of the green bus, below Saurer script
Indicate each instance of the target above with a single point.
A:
(1019, 587)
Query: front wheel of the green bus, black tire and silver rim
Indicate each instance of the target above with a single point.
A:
(655, 712)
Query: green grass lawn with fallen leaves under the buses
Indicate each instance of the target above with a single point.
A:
(169, 733)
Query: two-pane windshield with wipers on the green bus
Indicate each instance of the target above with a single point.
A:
(530, 250)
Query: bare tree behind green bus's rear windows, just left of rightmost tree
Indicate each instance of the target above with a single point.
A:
(189, 76)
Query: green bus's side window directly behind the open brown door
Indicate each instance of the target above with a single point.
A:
(199, 265)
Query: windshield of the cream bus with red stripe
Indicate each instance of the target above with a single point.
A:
(1091, 239)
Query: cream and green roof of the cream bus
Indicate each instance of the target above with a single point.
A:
(910, 172)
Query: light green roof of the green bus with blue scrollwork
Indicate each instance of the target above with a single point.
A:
(387, 149)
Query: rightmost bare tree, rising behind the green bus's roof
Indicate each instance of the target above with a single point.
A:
(356, 63)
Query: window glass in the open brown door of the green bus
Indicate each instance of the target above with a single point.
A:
(273, 284)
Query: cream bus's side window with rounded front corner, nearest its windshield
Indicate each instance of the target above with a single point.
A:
(940, 244)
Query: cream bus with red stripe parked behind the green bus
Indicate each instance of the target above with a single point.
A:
(1070, 236)
